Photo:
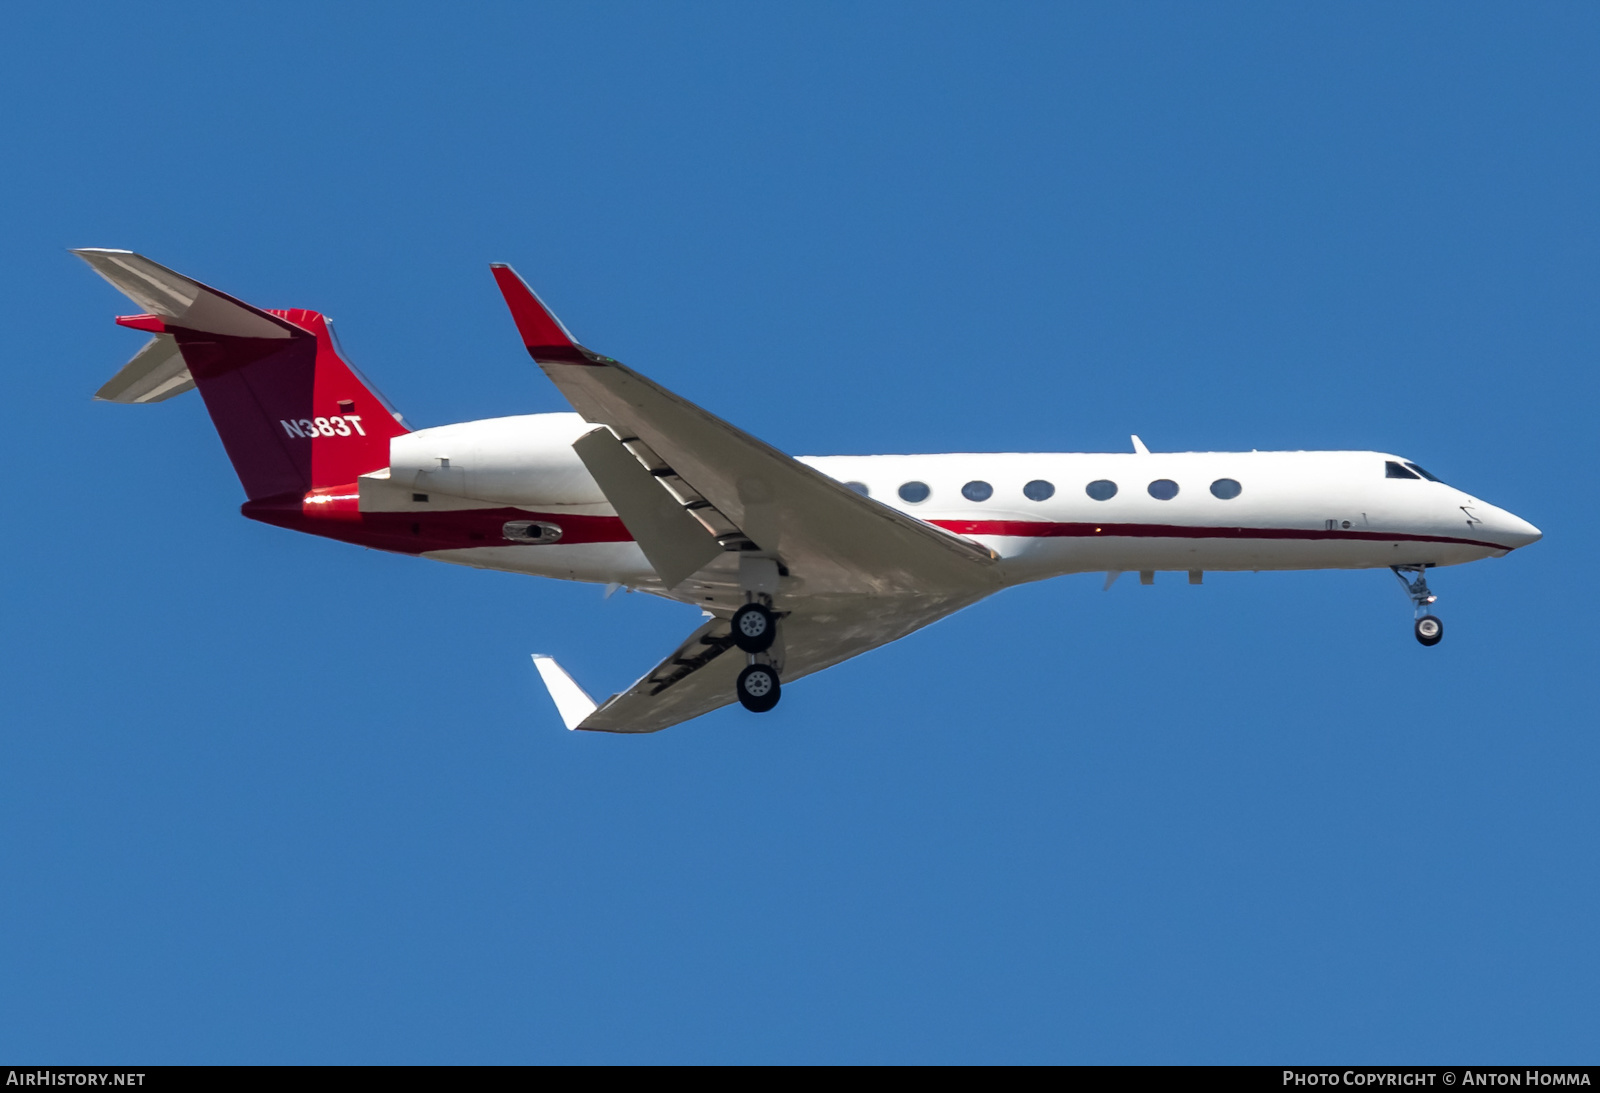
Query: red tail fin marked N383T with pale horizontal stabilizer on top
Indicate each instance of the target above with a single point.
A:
(294, 415)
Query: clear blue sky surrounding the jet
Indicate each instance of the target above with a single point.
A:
(278, 799)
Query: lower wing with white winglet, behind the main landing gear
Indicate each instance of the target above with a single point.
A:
(700, 675)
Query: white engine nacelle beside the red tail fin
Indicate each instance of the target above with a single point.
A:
(524, 462)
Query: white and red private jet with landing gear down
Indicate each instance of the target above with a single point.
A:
(796, 564)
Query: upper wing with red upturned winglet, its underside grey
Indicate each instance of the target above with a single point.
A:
(831, 538)
